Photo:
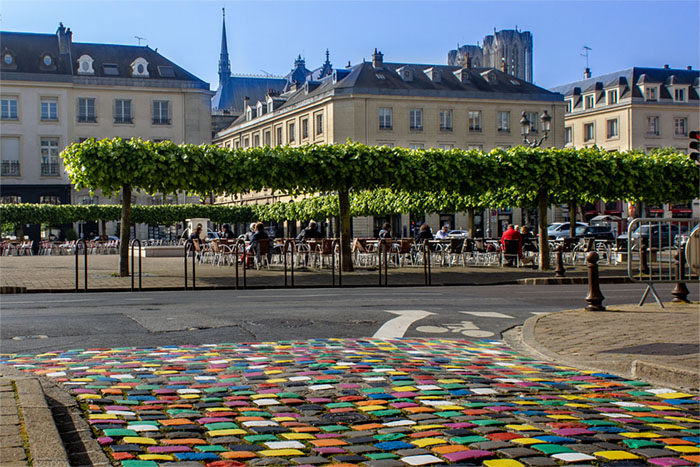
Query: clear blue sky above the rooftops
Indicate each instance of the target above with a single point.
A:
(264, 37)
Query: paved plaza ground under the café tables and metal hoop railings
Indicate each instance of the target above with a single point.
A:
(49, 273)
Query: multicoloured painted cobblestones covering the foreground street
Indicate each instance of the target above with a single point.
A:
(367, 402)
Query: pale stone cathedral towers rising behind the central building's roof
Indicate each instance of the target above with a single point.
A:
(509, 50)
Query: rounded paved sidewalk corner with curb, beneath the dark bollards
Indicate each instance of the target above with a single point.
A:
(660, 346)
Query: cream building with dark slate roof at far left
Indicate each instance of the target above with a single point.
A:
(56, 92)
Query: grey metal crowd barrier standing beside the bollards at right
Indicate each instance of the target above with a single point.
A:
(662, 251)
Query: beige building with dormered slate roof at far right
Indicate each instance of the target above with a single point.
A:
(637, 108)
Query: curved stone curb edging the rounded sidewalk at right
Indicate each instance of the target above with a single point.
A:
(523, 337)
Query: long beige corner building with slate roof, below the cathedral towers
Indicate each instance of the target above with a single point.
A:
(398, 104)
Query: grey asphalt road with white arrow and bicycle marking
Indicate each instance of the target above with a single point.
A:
(40, 322)
